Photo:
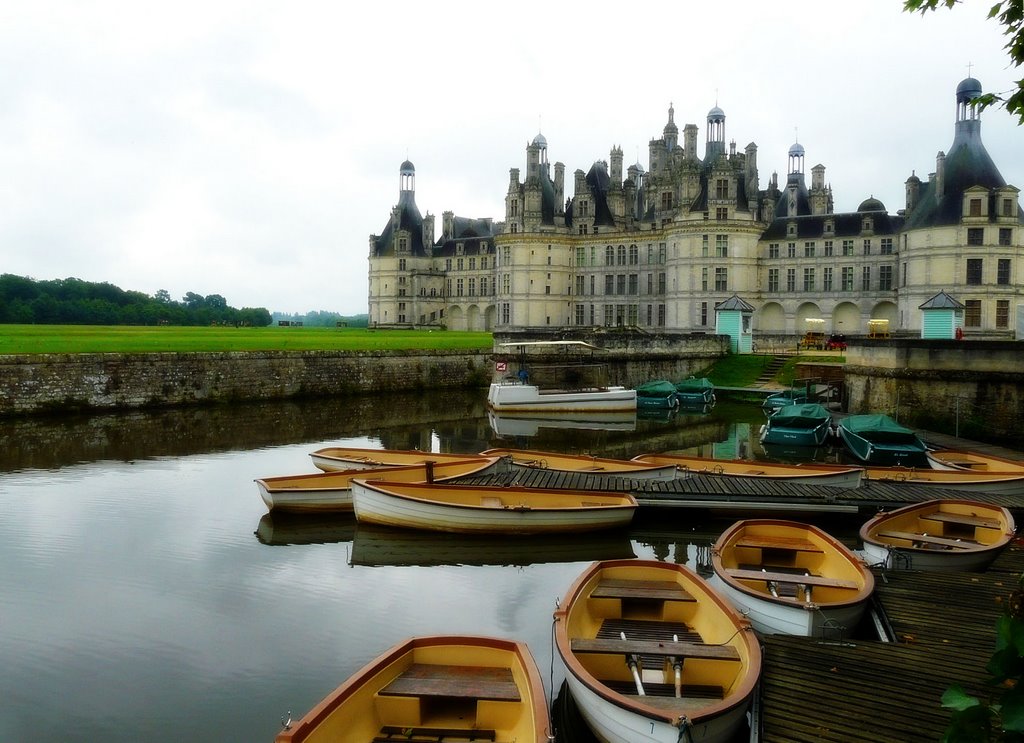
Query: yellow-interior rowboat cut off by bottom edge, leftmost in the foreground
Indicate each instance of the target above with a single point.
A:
(431, 689)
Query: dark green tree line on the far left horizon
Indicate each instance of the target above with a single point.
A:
(74, 302)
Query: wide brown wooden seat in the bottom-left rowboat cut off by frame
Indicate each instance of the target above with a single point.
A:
(467, 682)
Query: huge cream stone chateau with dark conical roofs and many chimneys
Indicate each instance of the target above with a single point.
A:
(660, 248)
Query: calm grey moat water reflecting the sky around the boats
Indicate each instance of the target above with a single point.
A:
(146, 595)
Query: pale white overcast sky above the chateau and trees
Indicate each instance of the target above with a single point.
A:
(250, 149)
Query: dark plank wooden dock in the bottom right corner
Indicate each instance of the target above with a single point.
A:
(942, 629)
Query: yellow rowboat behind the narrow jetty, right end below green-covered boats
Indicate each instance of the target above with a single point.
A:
(806, 474)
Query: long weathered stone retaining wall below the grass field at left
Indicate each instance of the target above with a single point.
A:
(31, 384)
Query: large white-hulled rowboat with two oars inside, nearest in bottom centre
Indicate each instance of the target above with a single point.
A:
(654, 654)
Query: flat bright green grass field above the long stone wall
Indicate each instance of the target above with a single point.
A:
(125, 339)
